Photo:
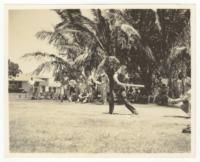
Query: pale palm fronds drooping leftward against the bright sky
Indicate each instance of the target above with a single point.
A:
(61, 62)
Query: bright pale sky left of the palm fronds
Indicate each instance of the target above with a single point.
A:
(22, 27)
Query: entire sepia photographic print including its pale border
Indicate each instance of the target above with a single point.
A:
(100, 79)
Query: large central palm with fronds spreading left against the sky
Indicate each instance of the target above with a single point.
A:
(101, 43)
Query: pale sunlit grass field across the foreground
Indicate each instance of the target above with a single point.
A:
(54, 127)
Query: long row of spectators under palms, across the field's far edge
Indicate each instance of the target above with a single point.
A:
(88, 89)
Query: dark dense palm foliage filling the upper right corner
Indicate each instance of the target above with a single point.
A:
(162, 30)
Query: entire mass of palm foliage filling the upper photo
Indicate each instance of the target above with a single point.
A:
(145, 40)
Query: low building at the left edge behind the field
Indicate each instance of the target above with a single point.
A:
(27, 86)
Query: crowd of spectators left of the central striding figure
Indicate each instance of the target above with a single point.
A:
(84, 90)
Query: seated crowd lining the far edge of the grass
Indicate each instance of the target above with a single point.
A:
(96, 91)
